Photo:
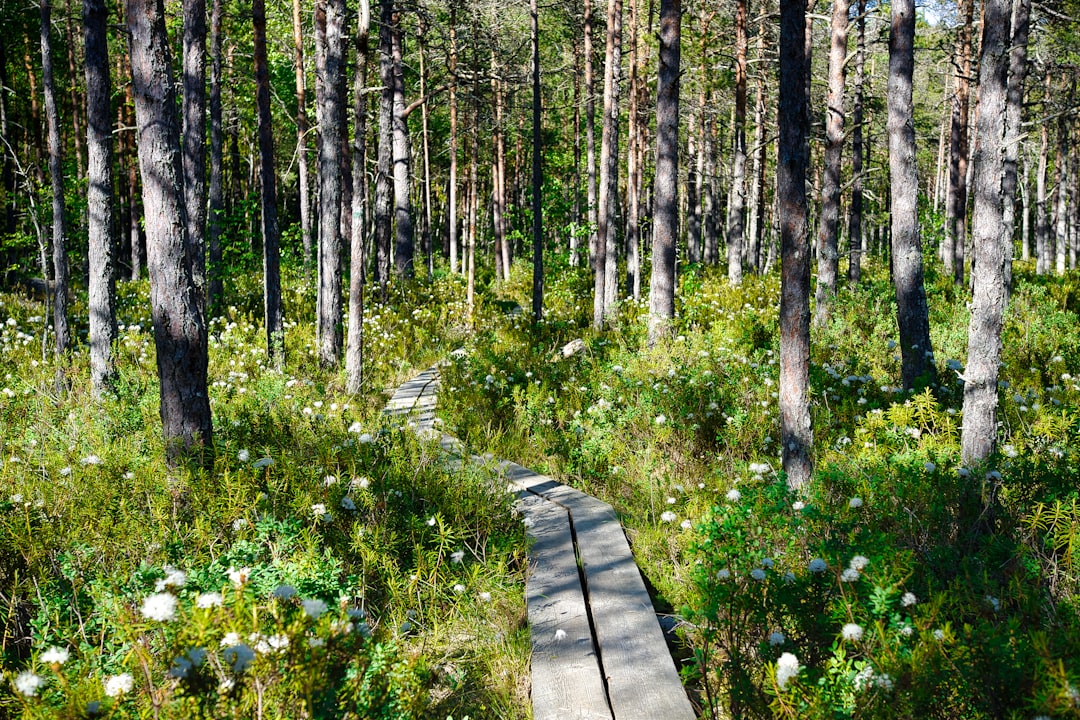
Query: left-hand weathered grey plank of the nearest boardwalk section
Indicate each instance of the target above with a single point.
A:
(566, 675)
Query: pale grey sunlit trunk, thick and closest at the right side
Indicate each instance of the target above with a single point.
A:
(979, 436)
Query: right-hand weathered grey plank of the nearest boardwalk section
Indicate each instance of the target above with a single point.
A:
(643, 682)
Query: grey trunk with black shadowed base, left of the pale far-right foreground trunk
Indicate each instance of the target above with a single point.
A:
(912, 315)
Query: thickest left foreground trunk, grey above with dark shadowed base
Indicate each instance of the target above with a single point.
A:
(180, 327)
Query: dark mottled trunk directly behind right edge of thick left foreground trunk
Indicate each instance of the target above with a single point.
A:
(195, 140)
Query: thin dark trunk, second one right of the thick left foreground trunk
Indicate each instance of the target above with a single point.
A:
(215, 220)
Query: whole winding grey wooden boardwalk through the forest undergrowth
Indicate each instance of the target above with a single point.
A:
(598, 648)
